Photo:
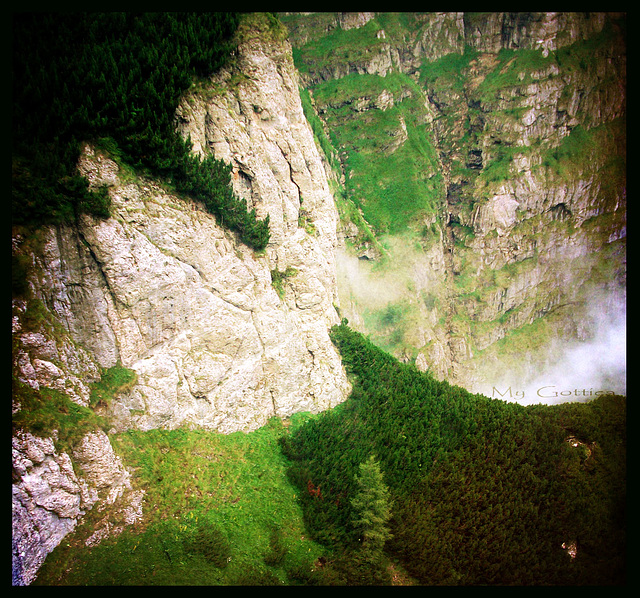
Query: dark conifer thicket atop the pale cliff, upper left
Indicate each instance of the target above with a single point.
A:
(114, 78)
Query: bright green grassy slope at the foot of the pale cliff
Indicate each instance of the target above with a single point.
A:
(218, 510)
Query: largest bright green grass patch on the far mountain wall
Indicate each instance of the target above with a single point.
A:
(387, 153)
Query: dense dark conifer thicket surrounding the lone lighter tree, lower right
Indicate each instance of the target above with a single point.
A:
(481, 491)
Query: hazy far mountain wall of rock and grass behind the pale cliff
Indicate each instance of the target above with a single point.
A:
(482, 162)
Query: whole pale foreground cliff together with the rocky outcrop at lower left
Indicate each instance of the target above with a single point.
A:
(218, 336)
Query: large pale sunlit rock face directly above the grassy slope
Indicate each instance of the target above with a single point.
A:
(161, 288)
